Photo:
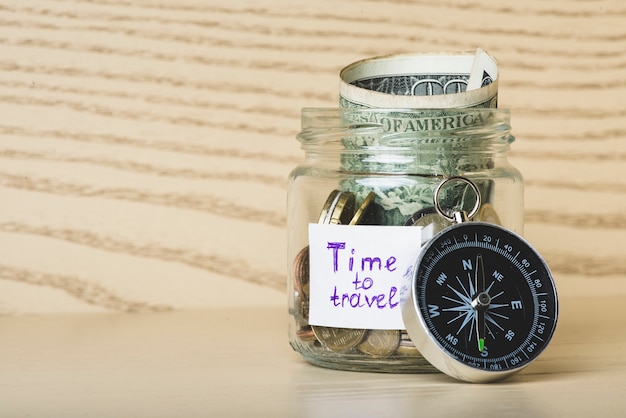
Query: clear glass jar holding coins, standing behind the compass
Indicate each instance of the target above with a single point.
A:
(380, 167)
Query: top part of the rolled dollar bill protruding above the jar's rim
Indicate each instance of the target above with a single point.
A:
(421, 81)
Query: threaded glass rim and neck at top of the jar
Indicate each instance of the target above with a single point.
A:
(396, 129)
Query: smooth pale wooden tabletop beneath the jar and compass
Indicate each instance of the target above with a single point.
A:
(234, 362)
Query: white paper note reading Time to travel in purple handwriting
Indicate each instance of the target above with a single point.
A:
(356, 274)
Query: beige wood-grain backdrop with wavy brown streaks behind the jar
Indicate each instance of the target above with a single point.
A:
(145, 146)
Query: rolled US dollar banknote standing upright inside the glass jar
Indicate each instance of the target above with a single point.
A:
(411, 97)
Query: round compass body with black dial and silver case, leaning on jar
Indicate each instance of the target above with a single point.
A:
(483, 302)
